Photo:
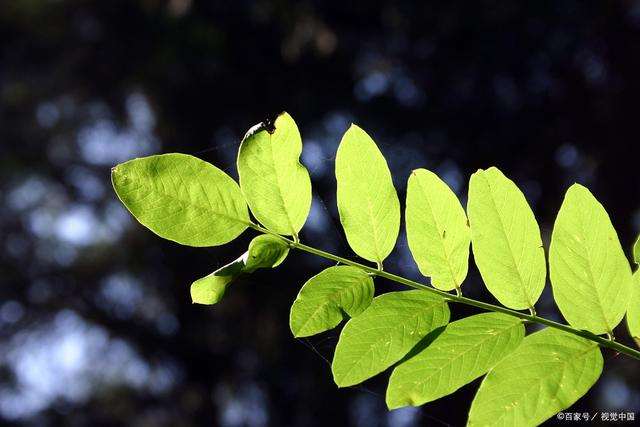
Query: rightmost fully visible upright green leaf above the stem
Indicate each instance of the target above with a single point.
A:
(590, 274)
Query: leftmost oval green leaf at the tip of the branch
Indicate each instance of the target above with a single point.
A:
(182, 198)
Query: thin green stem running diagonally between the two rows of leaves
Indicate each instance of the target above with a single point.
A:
(602, 341)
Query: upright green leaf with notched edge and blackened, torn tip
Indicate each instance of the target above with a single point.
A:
(276, 185)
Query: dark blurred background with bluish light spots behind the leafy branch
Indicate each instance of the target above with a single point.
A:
(96, 323)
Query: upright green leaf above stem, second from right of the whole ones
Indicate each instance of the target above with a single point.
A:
(506, 240)
